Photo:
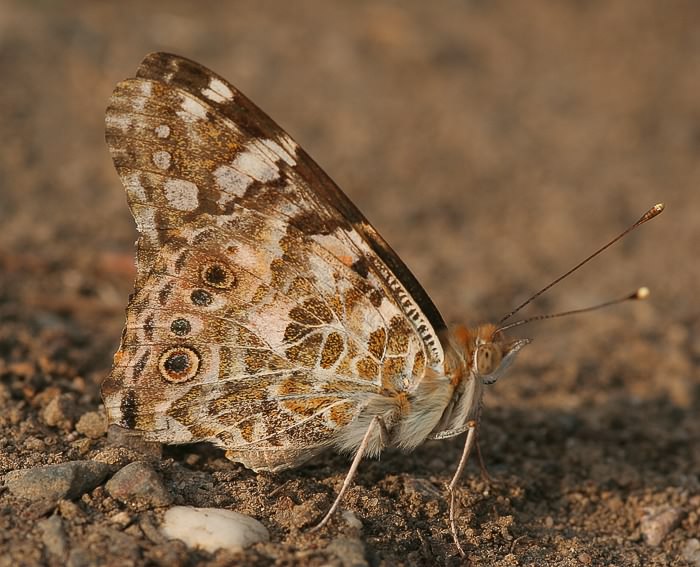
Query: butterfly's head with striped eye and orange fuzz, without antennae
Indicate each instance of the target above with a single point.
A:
(488, 353)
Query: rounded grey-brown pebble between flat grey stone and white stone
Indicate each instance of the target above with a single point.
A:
(138, 484)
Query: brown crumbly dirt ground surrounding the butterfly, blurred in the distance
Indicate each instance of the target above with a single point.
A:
(494, 144)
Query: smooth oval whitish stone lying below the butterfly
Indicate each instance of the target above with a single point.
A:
(212, 528)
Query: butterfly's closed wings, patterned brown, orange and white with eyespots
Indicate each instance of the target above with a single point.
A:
(266, 308)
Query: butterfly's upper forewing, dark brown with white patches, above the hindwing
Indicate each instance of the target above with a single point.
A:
(178, 117)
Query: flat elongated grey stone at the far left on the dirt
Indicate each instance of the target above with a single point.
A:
(54, 482)
